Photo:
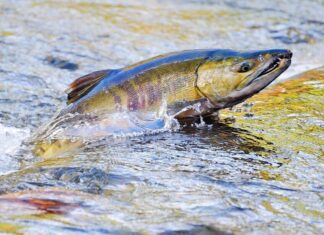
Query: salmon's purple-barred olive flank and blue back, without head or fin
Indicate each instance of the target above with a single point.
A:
(145, 86)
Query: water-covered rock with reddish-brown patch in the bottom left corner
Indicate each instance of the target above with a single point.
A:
(32, 211)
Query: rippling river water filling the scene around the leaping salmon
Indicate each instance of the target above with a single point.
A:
(259, 170)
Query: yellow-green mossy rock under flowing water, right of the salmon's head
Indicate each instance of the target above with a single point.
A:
(289, 114)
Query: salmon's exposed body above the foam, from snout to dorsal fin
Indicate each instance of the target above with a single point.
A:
(176, 80)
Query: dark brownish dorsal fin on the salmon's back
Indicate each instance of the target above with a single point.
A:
(83, 85)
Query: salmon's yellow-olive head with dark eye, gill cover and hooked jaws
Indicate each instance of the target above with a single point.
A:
(230, 77)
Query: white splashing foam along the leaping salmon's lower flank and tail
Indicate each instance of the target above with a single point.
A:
(119, 124)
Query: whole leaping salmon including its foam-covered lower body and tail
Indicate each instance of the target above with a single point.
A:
(144, 97)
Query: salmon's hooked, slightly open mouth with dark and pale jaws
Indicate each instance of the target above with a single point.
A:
(260, 79)
